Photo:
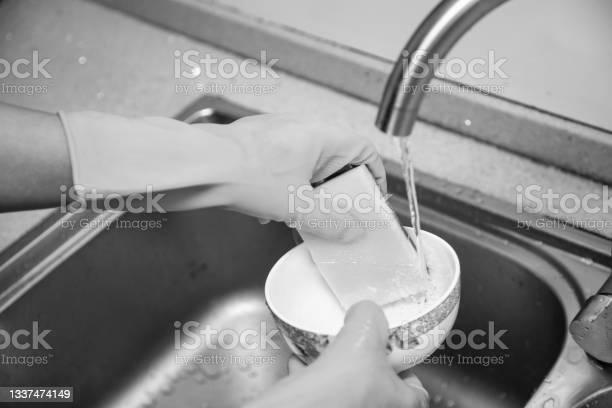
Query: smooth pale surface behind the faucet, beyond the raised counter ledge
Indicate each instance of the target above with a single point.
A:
(550, 47)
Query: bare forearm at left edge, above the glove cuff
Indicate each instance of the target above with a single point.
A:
(34, 159)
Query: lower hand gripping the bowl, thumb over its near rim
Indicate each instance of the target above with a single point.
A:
(353, 372)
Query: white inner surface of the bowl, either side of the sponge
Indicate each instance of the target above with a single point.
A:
(297, 293)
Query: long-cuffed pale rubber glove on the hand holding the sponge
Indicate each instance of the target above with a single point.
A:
(250, 166)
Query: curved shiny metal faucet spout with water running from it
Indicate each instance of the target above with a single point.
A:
(415, 66)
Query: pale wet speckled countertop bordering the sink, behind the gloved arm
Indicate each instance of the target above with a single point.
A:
(103, 60)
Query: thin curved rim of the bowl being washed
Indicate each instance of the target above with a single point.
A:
(448, 291)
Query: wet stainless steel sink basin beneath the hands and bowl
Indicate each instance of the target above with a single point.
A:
(113, 304)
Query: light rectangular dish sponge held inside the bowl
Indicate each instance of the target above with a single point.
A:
(381, 264)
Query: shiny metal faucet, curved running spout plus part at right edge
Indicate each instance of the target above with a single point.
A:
(399, 105)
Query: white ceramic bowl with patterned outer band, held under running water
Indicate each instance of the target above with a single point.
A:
(309, 316)
